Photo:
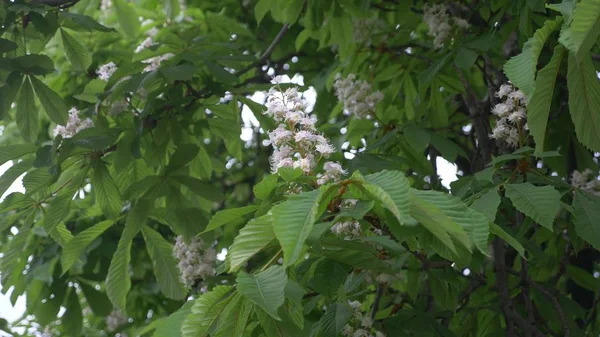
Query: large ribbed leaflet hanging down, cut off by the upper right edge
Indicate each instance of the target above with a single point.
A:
(584, 101)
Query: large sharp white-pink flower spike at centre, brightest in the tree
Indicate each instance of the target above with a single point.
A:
(295, 141)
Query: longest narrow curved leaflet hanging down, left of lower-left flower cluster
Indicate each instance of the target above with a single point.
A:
(118, 281)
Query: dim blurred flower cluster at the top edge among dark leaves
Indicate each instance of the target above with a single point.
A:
(440, 23)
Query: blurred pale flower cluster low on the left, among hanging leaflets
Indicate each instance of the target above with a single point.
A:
(196, 262)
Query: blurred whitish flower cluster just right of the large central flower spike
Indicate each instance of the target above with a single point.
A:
(357, 96)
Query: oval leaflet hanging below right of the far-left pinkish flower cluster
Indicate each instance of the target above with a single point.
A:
(105, 190)
